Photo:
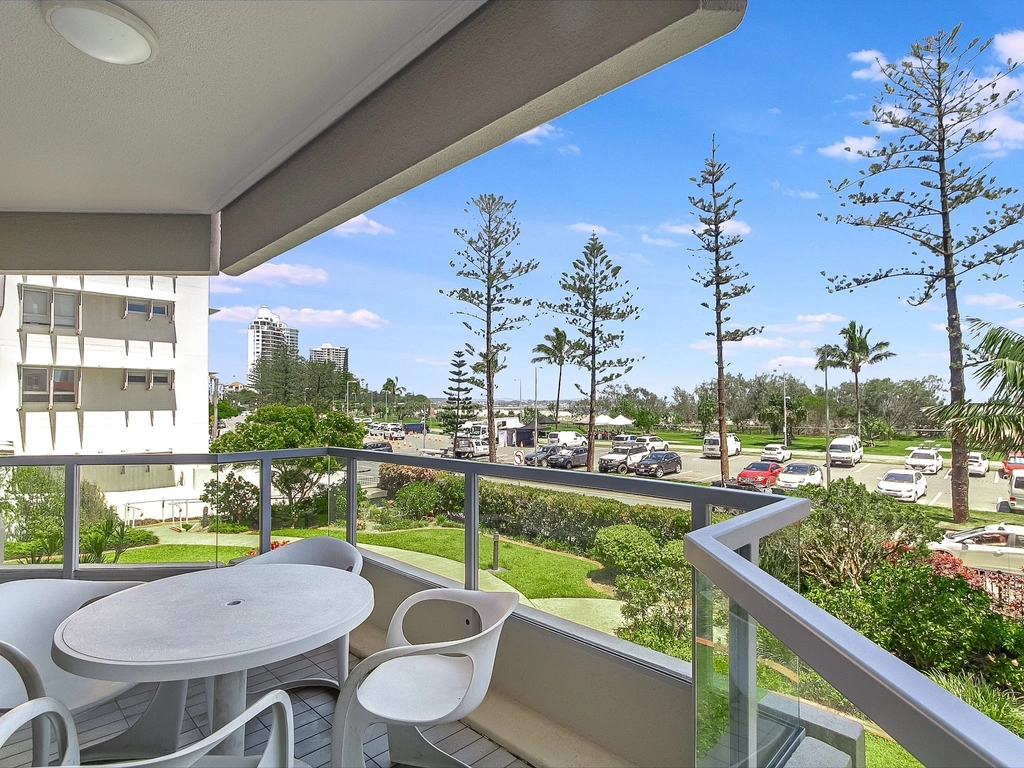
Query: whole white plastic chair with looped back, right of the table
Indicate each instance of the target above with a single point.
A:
(408, 686)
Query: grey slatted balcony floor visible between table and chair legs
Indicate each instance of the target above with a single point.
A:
(313, 708)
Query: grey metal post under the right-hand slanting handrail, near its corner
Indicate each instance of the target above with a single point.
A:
(743, 678)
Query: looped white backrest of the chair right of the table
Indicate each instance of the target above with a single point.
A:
(493, 609)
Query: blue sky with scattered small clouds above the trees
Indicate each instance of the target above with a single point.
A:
(784, 95)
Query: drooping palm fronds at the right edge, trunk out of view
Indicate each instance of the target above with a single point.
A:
(999, 423)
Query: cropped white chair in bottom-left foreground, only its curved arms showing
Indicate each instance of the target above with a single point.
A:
(279, 753)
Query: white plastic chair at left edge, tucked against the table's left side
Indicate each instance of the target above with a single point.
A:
(31, 611)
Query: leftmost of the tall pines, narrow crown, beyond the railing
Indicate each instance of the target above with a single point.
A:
(487, 261)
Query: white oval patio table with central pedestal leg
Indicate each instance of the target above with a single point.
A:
(218, 623)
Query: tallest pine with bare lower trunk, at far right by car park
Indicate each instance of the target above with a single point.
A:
(938, 109)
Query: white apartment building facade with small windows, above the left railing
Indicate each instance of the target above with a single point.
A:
(104, 364)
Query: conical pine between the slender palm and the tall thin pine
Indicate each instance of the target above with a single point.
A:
(595, 298)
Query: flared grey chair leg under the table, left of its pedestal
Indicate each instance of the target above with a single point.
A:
(154, 735)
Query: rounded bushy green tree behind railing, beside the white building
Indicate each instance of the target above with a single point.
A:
(278, 428)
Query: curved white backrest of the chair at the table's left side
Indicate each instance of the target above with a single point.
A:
(31, 611)
